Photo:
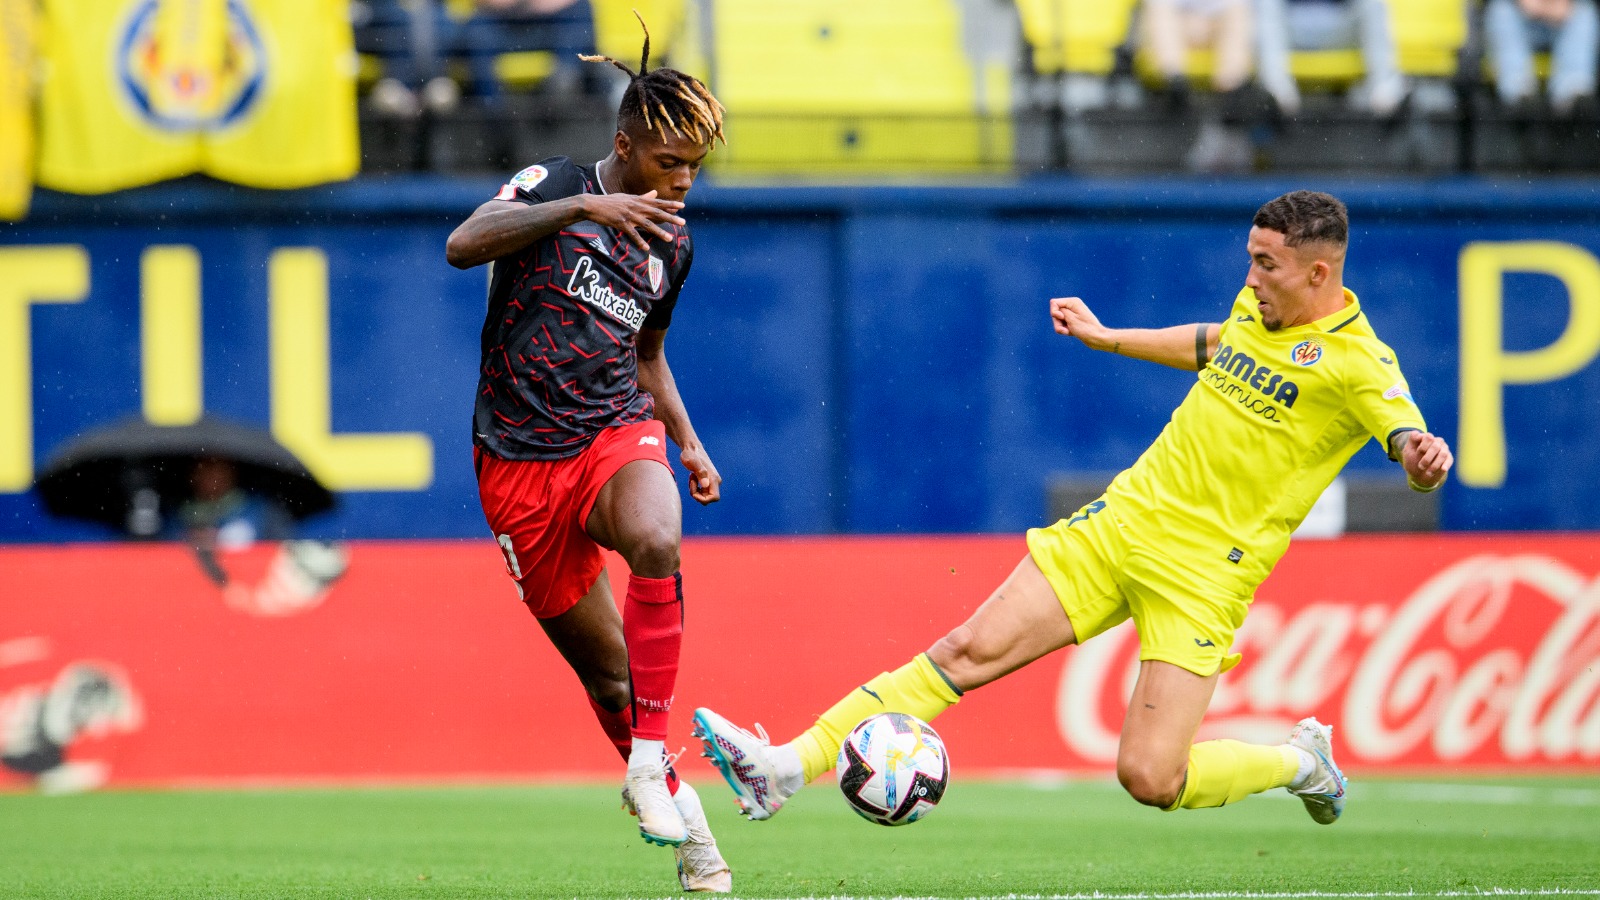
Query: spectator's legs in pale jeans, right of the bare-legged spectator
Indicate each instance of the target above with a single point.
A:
(1330, 25)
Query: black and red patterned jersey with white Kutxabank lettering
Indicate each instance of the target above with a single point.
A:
(559, 340)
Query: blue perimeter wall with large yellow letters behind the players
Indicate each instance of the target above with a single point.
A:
(857, 360)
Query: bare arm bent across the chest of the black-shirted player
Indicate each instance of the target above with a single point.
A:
(505, 227)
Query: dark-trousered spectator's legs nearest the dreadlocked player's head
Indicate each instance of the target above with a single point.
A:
(566, 28)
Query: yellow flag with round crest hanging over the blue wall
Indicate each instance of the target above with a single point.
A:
(258, 92)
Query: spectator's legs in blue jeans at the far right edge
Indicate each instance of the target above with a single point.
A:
(1569, 30)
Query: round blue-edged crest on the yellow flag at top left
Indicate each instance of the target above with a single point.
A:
(180, 81)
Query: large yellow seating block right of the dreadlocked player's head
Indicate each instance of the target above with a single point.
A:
(834, 86)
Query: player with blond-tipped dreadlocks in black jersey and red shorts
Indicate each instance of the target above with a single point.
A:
(575, 403)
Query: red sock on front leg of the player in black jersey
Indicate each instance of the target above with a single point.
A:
(654, 632)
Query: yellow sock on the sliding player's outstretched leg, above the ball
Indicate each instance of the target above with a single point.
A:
(918, 688)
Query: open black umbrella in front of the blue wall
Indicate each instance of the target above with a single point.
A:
(113, 475)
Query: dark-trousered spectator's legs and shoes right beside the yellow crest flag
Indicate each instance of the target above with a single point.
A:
(410, 39)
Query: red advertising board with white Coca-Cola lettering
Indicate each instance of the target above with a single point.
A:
(418, 664)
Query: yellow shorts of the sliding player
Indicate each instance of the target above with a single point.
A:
(1102, 577)
